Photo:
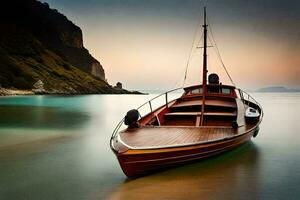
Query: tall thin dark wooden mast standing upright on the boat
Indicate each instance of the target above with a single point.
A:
(204, 78)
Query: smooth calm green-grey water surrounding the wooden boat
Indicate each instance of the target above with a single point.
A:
(55, 147)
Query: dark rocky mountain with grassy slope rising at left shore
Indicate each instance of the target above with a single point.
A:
(38, 44)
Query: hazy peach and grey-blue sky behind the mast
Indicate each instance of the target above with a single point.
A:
(145, 43)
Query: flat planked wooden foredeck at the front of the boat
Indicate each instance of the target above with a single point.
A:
(151, 136)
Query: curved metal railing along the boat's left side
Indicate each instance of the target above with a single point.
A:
(149, 106)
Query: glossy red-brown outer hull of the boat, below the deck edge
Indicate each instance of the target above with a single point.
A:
(137, 162)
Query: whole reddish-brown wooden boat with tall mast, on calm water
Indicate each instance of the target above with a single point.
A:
(206, 120)
